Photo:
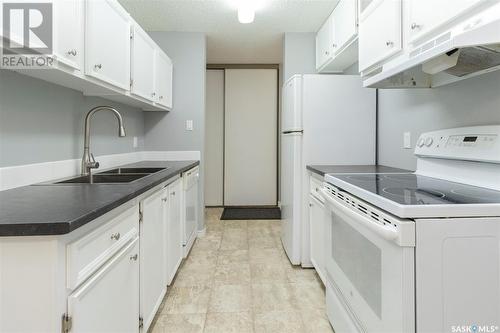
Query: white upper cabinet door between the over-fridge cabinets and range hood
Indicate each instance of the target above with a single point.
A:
(379, 32)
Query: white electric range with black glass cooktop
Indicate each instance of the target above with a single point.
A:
(419, 252)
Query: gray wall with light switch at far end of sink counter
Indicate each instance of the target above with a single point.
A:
(166, 131)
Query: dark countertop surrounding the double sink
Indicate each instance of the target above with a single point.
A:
(46, 209)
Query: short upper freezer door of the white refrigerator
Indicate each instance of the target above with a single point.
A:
(292, 105)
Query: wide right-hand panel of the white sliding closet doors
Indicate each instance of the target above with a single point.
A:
(250, 163)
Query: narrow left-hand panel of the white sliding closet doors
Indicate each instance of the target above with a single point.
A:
(214, 138)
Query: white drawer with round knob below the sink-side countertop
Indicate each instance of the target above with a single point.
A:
(87, 254)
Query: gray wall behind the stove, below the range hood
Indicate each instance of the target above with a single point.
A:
(474, 101)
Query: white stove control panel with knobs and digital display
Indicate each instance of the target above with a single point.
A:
(478, 143)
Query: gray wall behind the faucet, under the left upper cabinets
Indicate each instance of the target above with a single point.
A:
(41, 122)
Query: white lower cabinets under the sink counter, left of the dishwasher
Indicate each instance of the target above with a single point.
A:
(110, 275)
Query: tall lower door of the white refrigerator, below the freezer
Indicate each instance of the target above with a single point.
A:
(291, 195)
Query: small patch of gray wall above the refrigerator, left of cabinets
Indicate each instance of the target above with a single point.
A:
(299, 53)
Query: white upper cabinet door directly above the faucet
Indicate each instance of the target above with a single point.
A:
(107, 43)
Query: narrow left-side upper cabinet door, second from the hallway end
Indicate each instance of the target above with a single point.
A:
(143, 64)
